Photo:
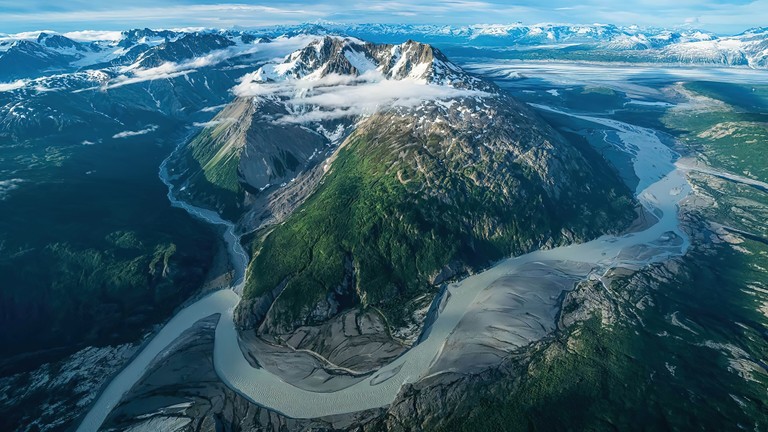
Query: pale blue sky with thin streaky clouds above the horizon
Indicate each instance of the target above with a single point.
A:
(67, 15)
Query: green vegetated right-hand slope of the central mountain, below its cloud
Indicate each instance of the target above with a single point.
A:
(401, 210)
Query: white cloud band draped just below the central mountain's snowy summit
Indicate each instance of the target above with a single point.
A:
(337, 96)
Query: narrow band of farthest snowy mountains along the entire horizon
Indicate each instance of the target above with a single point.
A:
(35, 54)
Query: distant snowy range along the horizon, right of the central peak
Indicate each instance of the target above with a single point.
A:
(596, 42)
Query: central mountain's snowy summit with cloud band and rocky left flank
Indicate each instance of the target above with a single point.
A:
(311, 99)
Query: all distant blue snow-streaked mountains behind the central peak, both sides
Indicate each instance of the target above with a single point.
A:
(210, 62)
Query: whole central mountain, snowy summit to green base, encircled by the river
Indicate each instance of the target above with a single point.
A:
(367, 207)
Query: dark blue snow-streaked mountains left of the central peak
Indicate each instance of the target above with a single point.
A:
(45, 77)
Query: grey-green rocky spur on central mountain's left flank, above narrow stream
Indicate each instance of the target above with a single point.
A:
(244, 154)
